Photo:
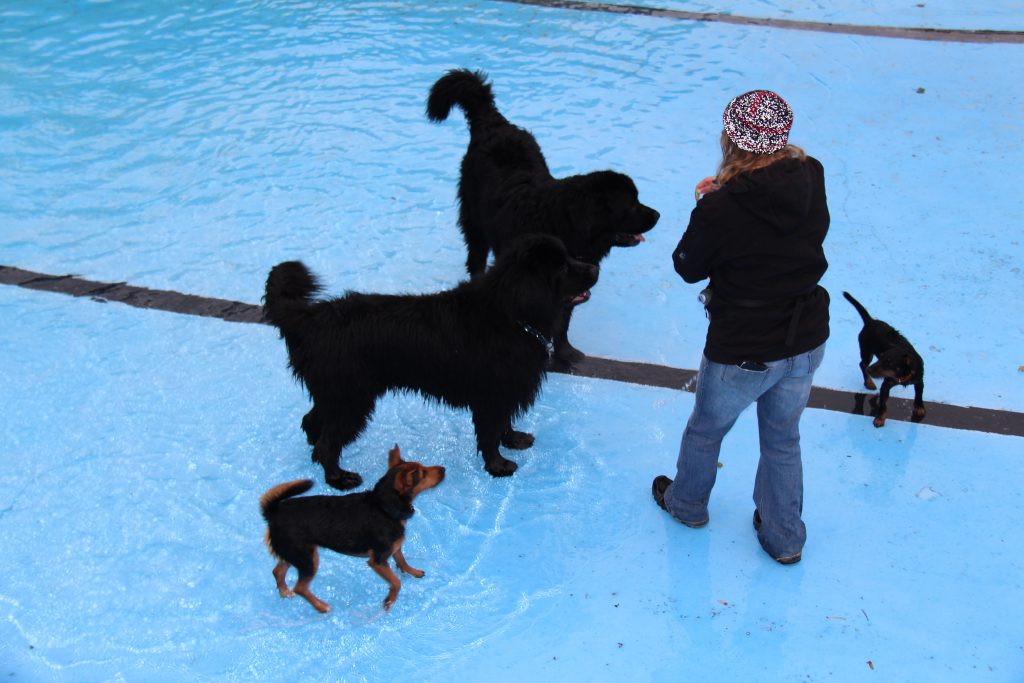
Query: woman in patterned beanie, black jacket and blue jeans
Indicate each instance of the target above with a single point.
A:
(757, 233)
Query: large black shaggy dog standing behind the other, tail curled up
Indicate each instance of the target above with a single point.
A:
(506, 191)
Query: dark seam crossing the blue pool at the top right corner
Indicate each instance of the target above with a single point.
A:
(945, 35)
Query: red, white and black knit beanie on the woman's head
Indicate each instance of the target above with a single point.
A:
(758, 121)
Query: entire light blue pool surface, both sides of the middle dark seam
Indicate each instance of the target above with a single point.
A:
(191, 149)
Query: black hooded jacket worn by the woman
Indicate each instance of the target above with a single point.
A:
(759, 239)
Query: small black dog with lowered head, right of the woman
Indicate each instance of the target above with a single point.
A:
(898, 363)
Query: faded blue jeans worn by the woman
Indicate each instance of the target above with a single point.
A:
(723, 393)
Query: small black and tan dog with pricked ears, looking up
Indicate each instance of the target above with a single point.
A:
(370, 524)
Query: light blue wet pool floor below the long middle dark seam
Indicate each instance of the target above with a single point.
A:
(134, 547)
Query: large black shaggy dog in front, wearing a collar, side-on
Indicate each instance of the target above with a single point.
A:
(483, 346)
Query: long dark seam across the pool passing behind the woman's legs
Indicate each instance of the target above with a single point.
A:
(943, 415)
